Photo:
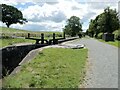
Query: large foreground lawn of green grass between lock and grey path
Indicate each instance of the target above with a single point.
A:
(52, 68)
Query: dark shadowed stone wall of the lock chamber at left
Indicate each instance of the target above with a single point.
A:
(13, 55)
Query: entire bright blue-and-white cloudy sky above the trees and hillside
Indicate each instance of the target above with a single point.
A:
(51, 15)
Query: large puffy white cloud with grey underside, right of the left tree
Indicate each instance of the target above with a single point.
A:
(46, 12)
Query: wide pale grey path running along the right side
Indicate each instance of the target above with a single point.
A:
(103, 64)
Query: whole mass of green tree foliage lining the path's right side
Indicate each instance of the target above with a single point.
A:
(105, 22)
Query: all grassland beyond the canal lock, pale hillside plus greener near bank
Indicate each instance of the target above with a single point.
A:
(8, 33)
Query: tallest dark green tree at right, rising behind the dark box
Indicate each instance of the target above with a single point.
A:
(108, 20)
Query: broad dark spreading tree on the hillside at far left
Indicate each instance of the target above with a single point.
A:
(11, 15)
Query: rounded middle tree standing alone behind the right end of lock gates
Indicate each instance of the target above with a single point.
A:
(73, 26)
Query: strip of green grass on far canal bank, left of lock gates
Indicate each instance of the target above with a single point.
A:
(7, 42)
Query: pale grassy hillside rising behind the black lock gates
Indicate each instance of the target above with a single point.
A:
(23, 33)
